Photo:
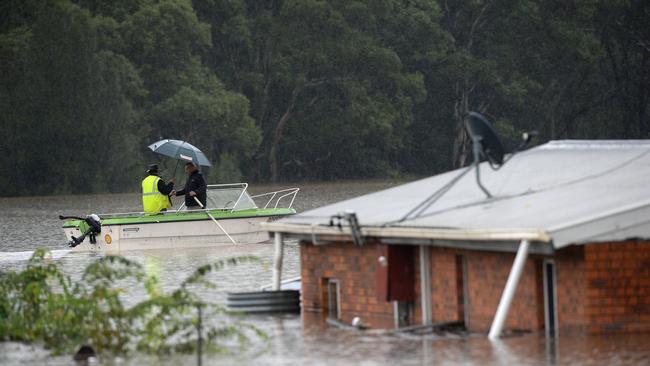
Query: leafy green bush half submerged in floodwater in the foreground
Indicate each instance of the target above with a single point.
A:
(42, 304)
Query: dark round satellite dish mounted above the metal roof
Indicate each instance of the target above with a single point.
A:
(483, 134)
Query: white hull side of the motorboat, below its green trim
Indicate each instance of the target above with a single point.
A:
(173, 235)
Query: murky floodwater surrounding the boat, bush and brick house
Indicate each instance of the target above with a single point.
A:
(30, 223)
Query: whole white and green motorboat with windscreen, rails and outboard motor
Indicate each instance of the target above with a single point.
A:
(231, 216)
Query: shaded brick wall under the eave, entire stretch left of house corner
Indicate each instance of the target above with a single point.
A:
(487, 273)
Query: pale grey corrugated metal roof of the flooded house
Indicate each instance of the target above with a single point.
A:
(573, 191)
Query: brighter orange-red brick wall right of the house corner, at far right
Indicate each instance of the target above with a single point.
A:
(618, 287)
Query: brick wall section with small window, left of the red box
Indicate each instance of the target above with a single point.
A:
(354, 267)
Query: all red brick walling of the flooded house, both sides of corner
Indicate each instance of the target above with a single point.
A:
(600, 287)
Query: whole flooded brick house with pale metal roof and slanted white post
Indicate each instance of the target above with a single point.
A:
(562, 246)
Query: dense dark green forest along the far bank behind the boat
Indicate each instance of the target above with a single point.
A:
(312, 89)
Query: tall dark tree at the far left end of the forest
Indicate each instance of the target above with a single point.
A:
(70, 99)
